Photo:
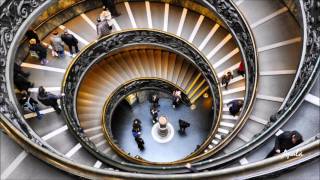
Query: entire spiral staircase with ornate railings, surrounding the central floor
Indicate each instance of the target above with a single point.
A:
(187, 44)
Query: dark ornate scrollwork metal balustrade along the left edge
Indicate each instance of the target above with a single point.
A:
(13, 14)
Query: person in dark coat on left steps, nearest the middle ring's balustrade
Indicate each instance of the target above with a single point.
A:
(49, 99)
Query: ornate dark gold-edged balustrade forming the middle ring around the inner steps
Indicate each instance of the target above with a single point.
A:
(97, 51)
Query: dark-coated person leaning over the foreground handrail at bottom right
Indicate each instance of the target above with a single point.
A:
(285, 141)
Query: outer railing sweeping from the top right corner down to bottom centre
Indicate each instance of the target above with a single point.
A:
(305, 77)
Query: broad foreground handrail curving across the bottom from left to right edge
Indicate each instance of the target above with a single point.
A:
(261, 168)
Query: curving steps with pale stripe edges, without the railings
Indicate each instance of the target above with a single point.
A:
(278, 59)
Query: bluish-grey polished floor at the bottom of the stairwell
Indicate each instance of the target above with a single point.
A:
(180, 146)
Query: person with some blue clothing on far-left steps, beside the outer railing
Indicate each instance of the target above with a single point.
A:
(29, 104)
